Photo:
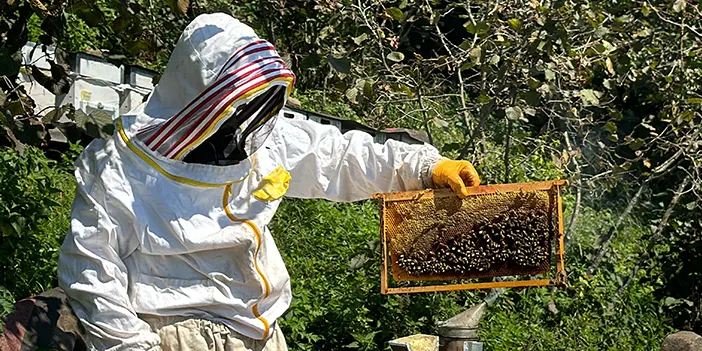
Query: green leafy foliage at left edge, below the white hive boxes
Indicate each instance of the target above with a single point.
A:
(35, 206)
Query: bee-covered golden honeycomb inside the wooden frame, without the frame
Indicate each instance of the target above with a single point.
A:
(486, 235)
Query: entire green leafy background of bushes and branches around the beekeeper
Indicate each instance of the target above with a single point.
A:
(603, 93)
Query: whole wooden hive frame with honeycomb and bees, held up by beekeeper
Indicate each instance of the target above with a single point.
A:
(499, 230)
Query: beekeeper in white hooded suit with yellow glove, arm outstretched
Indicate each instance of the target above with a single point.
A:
(168, 246)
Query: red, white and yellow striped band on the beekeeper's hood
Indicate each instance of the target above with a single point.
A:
(250, 72)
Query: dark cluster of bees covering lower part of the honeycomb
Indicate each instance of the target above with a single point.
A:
(516, 238)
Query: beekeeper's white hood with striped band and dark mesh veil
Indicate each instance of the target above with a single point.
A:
(218, 97)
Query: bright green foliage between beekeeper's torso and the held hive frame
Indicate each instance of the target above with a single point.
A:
(336, 289)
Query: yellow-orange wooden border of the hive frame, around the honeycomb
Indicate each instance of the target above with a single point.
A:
(554, 266)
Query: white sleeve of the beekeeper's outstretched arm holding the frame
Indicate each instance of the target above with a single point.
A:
(324, 163)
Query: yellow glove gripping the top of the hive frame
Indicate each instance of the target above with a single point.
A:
(455, 174)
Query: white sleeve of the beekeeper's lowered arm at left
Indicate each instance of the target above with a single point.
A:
(92, 274)
